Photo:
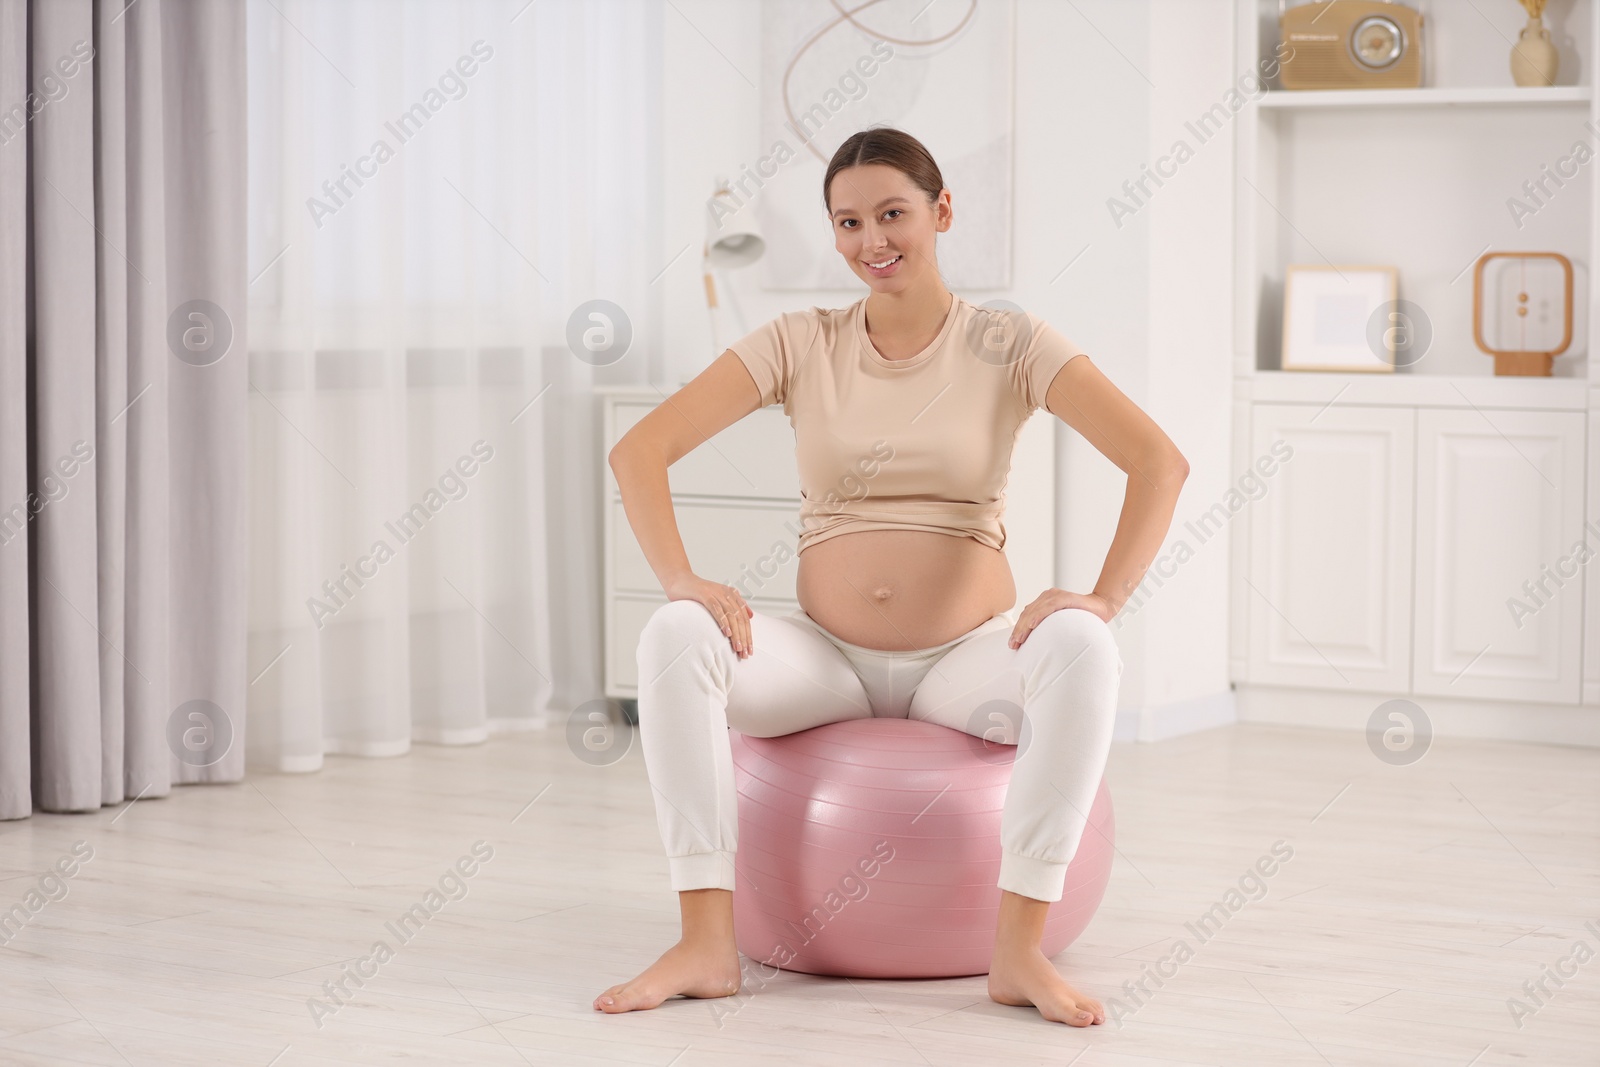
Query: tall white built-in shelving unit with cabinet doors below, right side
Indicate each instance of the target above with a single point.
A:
(1383, 559)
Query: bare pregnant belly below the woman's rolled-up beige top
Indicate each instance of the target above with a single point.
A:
(903, 589)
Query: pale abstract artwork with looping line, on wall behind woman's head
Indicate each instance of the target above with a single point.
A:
(940, 71)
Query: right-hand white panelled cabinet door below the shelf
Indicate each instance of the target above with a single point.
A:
(1500, 513)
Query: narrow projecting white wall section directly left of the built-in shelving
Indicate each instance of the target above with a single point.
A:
(1185, 642)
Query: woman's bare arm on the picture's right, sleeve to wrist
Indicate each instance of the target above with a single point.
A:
(1082, 398)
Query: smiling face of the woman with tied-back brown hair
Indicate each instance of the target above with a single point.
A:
(879, 215)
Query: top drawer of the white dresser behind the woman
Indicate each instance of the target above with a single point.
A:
(756, 457)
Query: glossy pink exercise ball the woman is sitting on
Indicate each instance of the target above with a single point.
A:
(871, 849)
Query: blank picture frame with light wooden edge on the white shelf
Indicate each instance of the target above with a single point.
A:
(1332, 318)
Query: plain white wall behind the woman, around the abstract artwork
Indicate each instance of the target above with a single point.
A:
(1103, 87)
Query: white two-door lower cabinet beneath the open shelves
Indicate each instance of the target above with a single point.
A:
(1428, 551)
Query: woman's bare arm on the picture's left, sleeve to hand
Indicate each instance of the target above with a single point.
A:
(714, 401)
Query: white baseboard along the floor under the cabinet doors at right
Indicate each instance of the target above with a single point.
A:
(1449, 717)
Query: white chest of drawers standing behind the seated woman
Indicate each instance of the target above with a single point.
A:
(737, 500)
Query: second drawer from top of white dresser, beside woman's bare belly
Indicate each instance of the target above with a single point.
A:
(748, 548)
